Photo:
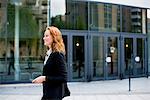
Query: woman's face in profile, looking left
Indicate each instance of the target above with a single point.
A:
(47, 38)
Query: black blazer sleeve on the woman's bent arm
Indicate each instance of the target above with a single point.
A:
(60, 65)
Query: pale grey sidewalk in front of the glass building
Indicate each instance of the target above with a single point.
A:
(96, 90)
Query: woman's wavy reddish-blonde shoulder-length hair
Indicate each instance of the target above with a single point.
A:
(58, 44)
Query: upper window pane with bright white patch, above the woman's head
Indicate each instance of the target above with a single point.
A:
(74, 17)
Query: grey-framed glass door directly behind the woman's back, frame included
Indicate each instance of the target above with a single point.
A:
(75, 55)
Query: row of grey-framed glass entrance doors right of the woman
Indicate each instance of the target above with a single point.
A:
(103, 56)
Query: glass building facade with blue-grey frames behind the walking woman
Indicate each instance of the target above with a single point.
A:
(103, 41)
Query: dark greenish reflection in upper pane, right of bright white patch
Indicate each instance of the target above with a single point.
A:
(76, 16)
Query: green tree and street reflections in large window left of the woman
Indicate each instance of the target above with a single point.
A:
(31, 25)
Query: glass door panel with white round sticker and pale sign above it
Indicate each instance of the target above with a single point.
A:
(111, 60)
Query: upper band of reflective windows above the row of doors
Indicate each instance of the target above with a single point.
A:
(102, 17)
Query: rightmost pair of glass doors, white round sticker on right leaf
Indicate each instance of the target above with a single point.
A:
(134, 56)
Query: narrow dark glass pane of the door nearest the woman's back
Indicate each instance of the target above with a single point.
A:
(78, 57)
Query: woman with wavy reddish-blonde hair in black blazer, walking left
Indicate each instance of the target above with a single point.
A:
(54, 76)
